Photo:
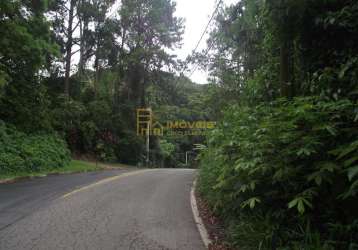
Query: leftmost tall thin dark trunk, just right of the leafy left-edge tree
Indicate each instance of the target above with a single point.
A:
(69, 47)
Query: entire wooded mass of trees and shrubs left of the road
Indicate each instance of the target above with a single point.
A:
(79, 69)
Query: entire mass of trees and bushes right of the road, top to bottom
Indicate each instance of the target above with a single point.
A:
(281, 168)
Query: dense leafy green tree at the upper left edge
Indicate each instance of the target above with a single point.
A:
(26, 48)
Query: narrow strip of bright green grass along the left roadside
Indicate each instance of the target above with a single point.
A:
(75, 166)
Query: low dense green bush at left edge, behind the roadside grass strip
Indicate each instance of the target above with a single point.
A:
(24, 153)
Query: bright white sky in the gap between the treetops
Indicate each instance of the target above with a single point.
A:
(197, 14)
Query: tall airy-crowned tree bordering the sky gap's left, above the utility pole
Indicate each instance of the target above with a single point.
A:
(147, 29)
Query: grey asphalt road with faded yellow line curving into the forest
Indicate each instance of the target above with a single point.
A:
(145, 209)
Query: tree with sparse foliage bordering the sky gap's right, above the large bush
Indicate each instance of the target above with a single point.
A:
(235, 48)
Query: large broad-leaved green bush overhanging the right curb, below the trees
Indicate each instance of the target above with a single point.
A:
(292, 162)
